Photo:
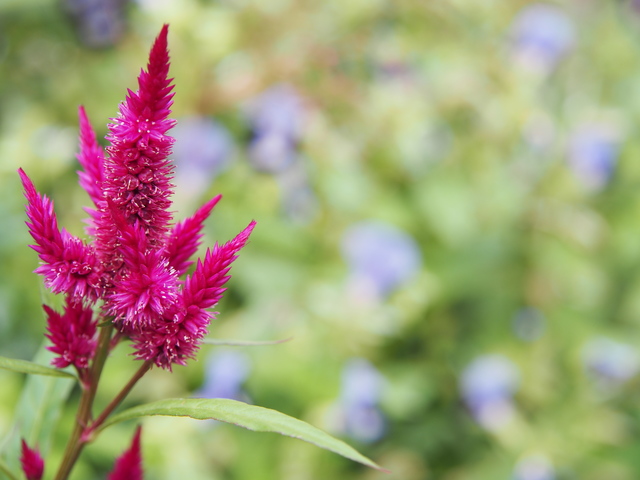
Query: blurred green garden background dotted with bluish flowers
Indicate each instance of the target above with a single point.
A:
(448, 207)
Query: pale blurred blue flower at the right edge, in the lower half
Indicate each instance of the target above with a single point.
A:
(611, 363)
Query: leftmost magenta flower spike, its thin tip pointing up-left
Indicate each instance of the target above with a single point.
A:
(68, 264)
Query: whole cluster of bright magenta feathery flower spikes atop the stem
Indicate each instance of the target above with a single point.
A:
(136, 260)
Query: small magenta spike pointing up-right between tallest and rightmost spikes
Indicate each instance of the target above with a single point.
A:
(184, 238)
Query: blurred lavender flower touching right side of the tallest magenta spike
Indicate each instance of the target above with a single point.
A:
(203, 149)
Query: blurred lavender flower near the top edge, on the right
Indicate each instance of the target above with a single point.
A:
(542, 35)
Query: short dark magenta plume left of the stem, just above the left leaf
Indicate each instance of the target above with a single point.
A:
(73, 335)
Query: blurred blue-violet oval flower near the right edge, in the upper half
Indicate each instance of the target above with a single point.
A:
(593, 153)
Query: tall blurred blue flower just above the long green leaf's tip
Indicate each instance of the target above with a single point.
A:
(361, 418)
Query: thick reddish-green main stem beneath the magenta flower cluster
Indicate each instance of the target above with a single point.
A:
(83, 417)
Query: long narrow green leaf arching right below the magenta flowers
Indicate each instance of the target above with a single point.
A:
(254, 418)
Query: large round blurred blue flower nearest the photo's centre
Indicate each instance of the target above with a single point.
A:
(380, 256)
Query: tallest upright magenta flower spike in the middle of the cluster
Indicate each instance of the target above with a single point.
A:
(138, 172)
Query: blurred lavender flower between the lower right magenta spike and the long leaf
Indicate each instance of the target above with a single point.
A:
(226, 371)
